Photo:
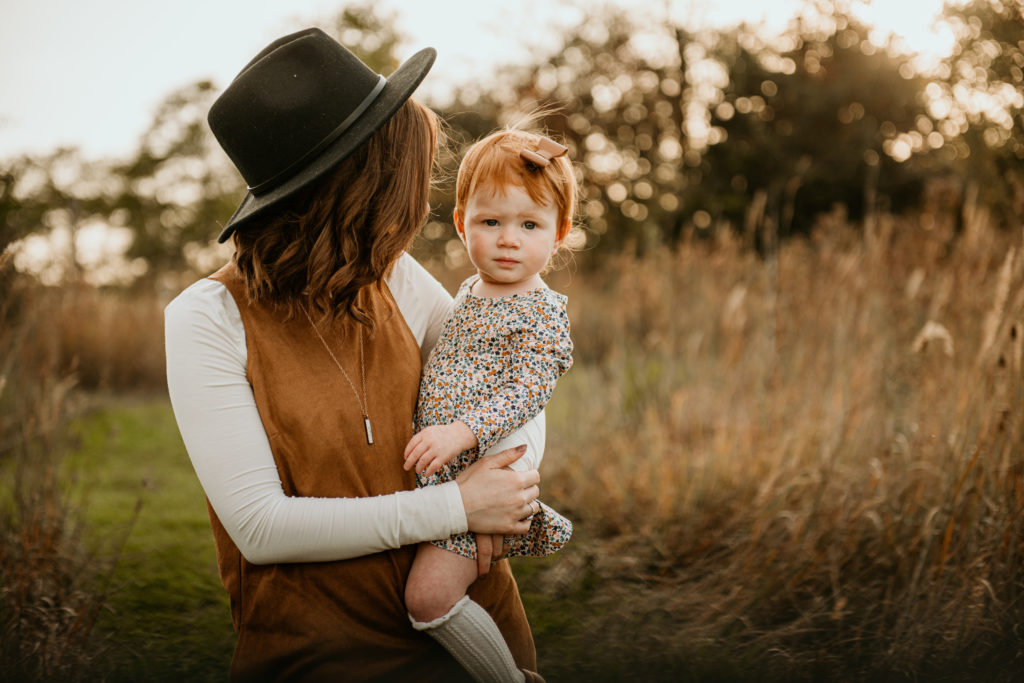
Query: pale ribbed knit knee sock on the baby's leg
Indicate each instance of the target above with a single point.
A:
(474, 639)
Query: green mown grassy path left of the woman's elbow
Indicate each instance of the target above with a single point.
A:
(168, 617)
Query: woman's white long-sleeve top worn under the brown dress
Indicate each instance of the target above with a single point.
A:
(228, 445)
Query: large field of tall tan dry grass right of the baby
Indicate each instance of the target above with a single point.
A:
(810, 462)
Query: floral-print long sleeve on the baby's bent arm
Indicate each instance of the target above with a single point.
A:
(541, 352)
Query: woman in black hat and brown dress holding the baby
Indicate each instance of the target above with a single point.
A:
(293, 372)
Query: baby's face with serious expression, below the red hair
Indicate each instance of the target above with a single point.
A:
(508, 236)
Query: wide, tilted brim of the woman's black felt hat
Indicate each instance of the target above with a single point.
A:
(400, 88)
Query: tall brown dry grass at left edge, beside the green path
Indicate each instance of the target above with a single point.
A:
(53, 585)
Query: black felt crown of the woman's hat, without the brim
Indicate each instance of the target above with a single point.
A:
(287, 103)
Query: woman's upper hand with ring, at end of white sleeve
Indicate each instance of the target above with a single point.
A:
(498, 500)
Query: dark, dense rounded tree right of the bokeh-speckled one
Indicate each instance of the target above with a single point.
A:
(829, 119)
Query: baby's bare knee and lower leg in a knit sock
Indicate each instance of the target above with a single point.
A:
(436, 597)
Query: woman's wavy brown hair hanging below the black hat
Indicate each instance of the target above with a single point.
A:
(323, 246)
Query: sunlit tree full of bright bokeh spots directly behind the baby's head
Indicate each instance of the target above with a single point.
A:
(620, 111)
